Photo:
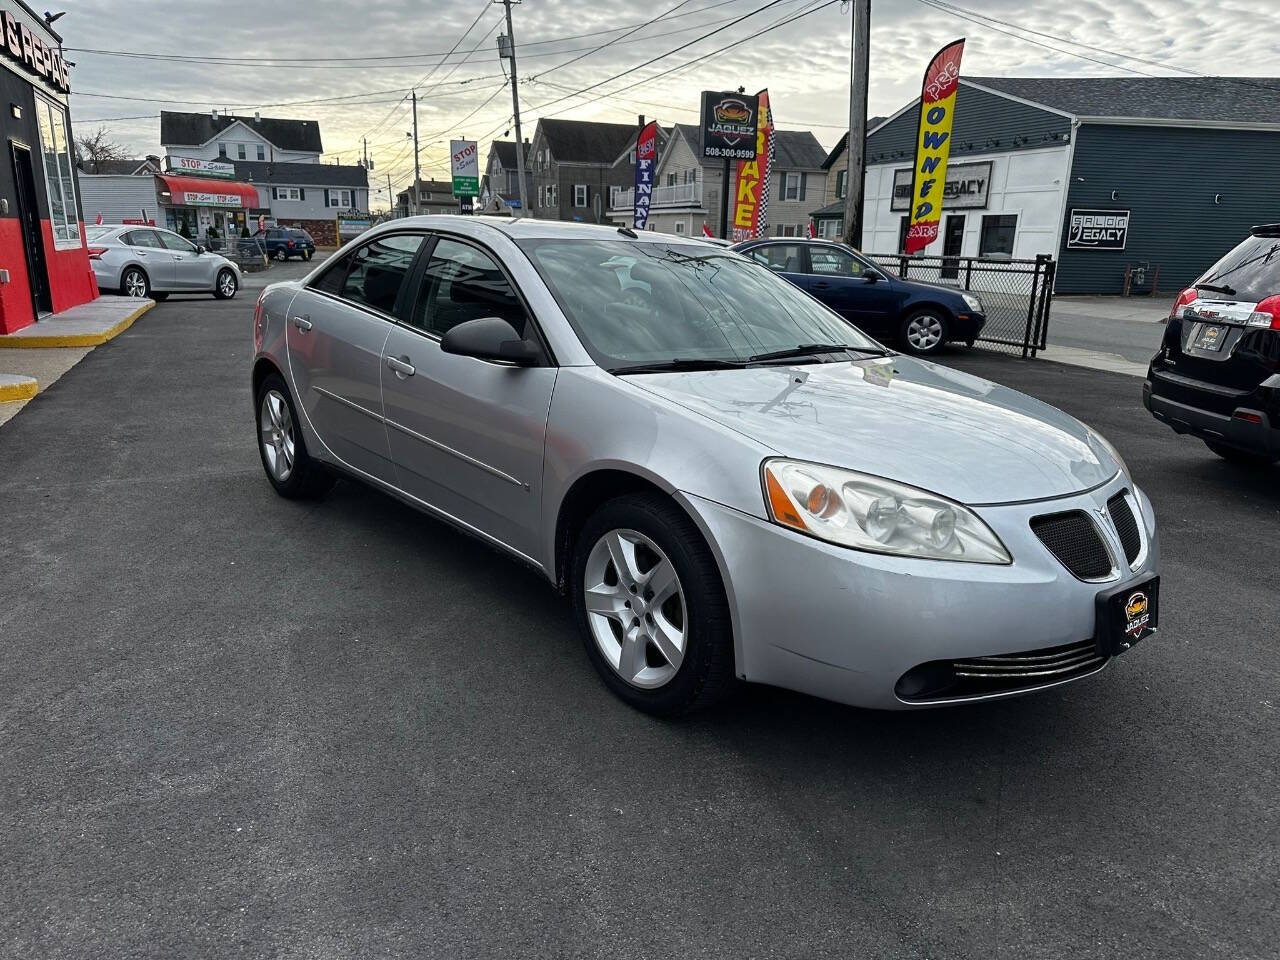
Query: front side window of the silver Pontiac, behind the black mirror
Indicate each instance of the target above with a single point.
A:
(464, 284)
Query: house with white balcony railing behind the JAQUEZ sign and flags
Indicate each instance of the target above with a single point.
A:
(689, 188)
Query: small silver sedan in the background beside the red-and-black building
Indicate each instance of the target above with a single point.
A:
(150, 262)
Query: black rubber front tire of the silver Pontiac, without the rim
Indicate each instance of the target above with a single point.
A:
(706, 674)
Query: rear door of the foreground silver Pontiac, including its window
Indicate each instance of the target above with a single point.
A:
(336, 332)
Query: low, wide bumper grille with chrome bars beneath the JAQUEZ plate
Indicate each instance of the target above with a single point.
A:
(1000, 674)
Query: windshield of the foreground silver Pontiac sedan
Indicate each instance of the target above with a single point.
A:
(634, 304)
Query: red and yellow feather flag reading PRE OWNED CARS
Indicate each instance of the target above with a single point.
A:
(934, 147)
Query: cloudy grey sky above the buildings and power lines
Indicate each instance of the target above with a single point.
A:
(351, 66)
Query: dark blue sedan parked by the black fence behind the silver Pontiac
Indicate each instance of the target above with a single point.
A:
(922, 317)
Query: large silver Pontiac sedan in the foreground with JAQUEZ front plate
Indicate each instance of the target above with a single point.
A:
(726, 479)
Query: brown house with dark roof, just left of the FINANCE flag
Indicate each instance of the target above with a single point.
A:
(575, 164)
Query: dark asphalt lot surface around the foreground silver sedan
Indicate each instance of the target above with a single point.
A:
(241, 728)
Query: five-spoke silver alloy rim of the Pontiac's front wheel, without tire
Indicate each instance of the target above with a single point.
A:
(636, 609)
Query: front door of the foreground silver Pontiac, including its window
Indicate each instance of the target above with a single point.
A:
(467, 436)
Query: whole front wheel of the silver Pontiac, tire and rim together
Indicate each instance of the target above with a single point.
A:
(652, 609)
